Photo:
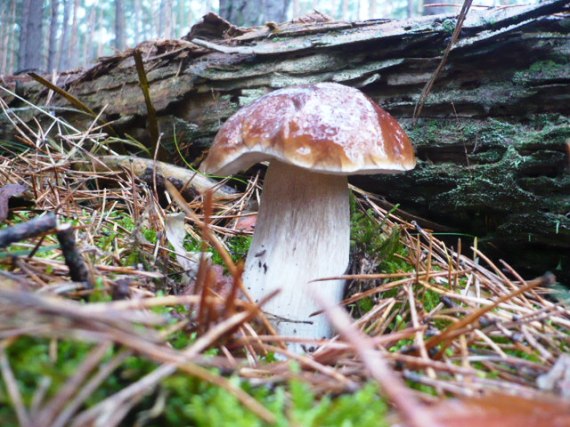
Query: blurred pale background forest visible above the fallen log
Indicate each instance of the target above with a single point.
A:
(50, 35)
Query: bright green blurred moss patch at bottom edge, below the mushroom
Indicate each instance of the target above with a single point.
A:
(295, 404)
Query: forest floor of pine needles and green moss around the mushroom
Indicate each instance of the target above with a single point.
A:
(153, 329)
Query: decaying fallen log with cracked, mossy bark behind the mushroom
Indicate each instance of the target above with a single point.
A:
(492, 141)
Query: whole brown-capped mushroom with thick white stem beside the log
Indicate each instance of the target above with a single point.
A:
(313, 136)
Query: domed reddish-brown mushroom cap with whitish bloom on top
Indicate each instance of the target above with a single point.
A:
(325, 127)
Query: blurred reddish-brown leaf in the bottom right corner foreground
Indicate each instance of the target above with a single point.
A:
(501, 410)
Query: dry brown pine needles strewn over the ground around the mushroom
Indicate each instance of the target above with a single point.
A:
(451, 323)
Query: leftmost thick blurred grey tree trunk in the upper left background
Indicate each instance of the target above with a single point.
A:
(31, 37)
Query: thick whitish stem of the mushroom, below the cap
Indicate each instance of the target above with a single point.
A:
(302, 233)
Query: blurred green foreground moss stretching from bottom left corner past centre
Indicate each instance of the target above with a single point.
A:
(188, 401)
